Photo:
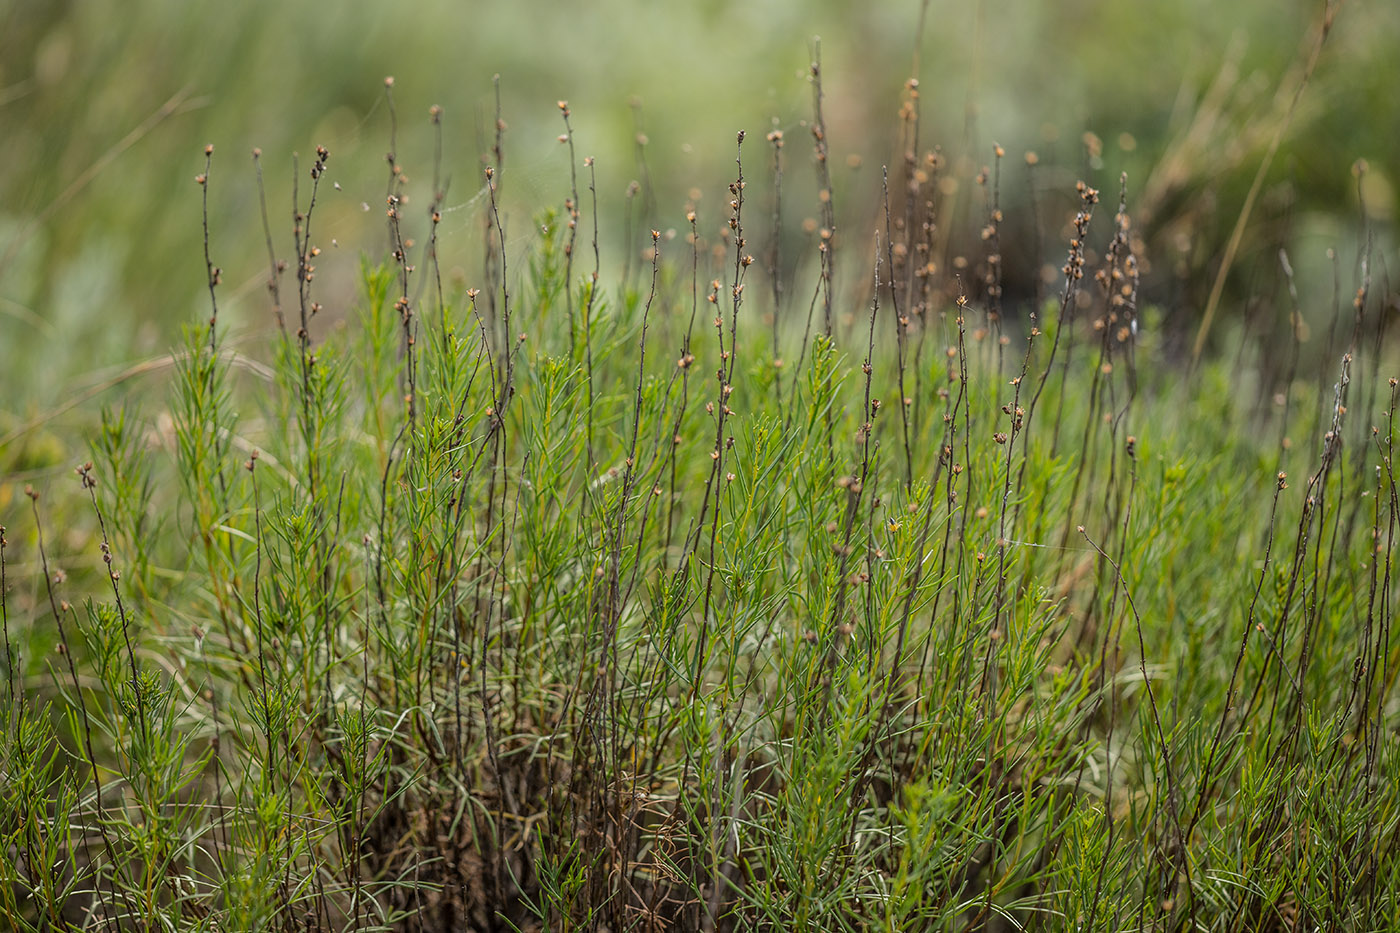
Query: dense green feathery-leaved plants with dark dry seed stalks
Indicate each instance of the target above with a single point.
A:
(750, 592)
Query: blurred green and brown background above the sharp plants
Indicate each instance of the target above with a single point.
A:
(106, 110)
